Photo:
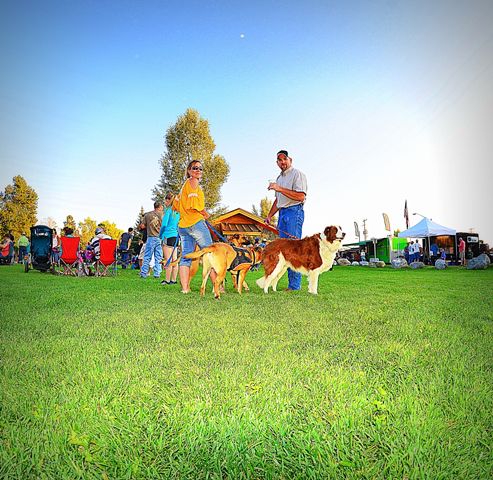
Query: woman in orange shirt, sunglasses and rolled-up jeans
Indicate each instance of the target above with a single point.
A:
(192, 227)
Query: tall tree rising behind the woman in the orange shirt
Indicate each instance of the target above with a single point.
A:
(190, 139)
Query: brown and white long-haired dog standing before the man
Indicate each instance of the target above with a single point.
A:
(310, 256)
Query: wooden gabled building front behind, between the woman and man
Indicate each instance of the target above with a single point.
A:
(244, 224)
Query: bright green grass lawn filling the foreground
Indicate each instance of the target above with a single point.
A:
(385, 374)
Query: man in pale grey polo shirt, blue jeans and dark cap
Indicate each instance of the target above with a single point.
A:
(290, 187)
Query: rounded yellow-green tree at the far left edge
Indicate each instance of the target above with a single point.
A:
(18, 207)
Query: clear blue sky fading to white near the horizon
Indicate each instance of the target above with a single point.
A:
(377, 102)
